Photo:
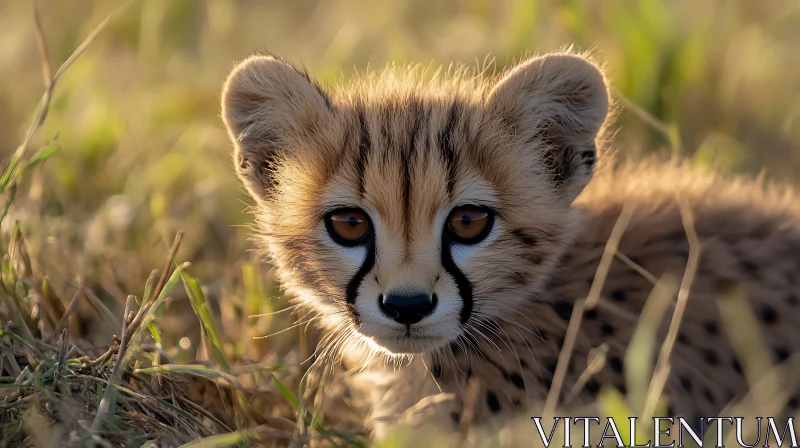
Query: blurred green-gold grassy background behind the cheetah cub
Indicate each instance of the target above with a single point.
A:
(143, 153)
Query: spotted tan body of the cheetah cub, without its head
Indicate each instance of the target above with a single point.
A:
(748, 246)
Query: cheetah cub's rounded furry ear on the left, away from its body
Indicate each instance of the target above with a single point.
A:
(266, 104)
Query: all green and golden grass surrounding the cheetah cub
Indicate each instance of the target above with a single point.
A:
(126, 150)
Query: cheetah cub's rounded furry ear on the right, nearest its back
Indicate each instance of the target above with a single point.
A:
(557, 102)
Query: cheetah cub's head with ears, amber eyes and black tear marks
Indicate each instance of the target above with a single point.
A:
(411, 214)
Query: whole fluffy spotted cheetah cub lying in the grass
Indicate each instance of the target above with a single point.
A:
(451, 223)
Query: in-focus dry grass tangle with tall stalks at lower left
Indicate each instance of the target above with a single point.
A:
(127, 395)
